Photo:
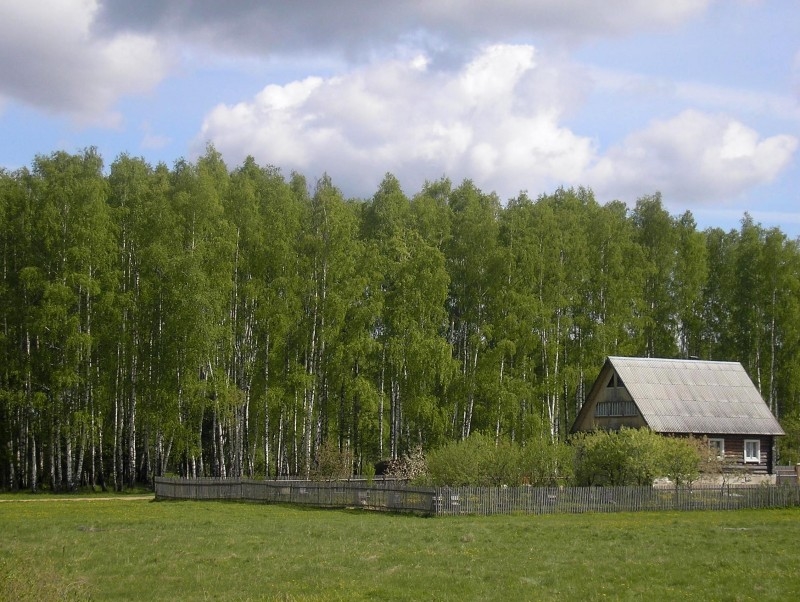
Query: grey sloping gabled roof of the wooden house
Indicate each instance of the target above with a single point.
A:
(692, 396)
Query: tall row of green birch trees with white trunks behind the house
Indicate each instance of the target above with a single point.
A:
(201, 320)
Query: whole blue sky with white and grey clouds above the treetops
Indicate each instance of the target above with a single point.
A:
(696, 99)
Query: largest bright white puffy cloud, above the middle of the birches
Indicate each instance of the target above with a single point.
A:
(484, 121)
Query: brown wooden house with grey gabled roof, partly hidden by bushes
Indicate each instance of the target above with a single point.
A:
(715, 400)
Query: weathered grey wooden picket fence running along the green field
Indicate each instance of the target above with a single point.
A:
(480, 500)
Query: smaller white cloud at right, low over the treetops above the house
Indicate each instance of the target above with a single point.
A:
(693, 156)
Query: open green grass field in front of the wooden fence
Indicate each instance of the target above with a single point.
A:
(129, 549)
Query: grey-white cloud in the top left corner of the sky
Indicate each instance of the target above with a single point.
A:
(52, 58)
